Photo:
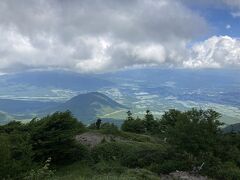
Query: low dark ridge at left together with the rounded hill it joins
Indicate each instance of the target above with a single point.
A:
(85, 107)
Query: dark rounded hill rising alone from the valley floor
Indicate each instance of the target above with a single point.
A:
(87, 107)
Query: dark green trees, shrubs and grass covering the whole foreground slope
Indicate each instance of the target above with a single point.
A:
(145, 148)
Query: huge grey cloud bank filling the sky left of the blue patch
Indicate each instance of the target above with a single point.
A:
(95, 36)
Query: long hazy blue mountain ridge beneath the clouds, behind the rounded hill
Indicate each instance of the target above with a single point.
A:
(58, 79)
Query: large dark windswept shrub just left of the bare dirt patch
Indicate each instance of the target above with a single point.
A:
(53, 136)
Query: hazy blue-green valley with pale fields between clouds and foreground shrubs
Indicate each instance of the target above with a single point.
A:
(137, 90)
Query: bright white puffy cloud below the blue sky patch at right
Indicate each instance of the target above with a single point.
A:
(215, 52)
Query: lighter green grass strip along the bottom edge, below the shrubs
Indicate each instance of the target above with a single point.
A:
(81, 171)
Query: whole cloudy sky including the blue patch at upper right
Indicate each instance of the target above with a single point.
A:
(96, 36)
